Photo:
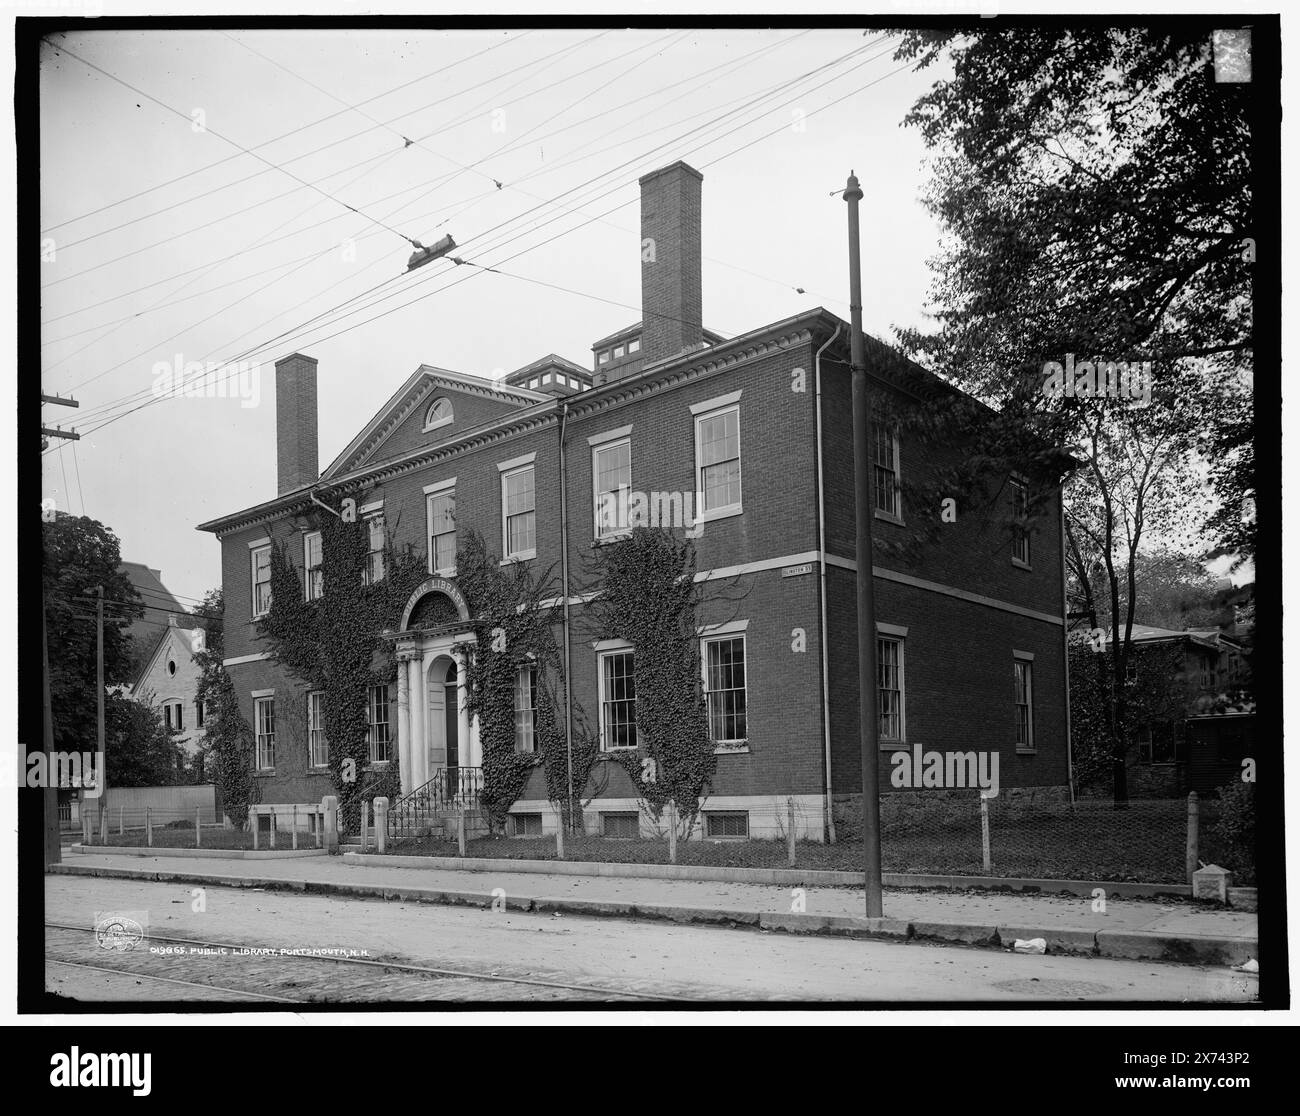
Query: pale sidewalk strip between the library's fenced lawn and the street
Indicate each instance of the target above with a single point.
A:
(1129, 928)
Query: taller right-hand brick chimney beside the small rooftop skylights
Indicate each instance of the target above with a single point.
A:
(671, 296)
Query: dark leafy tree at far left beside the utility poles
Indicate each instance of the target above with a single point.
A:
(79, 555)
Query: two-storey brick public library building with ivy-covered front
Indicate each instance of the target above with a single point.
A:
(756, 435)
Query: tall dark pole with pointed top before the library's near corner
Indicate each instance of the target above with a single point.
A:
(865, 509)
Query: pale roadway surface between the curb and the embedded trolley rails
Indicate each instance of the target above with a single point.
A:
(678, 962)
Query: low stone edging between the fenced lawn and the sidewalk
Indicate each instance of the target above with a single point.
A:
(787, 877)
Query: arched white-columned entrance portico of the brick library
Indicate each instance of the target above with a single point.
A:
(436, 732)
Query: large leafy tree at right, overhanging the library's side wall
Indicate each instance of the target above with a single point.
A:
(1094, 185)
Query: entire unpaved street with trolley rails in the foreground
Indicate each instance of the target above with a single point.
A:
(614, 958)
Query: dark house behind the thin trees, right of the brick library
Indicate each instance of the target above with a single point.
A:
(1194, 710)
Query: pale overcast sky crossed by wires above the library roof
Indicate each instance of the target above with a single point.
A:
(206, 194)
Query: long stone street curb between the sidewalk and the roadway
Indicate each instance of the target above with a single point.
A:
(1124, 945)
